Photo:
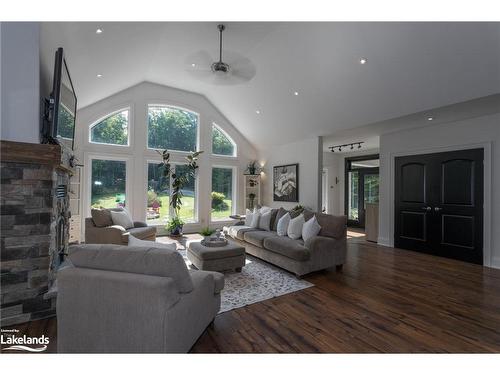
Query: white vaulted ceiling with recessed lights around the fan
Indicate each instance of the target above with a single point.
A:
(411, 67)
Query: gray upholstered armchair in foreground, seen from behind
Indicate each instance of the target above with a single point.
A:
(122, 299)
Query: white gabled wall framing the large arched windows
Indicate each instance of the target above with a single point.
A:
(137, 99)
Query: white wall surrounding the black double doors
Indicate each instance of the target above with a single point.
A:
(470, 133)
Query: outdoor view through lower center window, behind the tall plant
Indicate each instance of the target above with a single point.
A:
(158, 210)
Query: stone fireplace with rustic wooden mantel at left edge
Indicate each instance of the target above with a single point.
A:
(34, 227)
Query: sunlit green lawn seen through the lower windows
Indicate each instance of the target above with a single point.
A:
(186, 213)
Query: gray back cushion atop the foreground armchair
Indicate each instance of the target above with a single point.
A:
(141, 260)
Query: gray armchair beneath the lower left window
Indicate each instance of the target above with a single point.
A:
(116, 234)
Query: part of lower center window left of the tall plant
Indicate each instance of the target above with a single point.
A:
(158, 210)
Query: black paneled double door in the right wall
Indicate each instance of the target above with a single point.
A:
(439, 204)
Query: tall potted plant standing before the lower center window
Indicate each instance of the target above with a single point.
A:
(175, 224)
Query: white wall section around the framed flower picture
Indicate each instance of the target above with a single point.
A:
(307, 154)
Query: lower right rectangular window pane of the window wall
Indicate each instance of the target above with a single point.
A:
(222, 193)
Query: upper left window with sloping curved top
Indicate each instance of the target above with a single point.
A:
(112, 130)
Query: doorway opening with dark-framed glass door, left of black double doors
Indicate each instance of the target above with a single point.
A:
(361, 188)
